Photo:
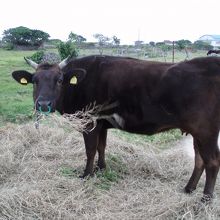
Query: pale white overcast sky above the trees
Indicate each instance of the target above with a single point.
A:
(128, 20)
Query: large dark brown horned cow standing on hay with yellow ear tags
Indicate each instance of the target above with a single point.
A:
(151, 97)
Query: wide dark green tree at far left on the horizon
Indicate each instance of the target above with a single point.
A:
(23, 36)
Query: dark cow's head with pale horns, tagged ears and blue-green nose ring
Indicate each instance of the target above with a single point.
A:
(48, 81)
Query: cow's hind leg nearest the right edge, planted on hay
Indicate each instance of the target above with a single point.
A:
(210, 154)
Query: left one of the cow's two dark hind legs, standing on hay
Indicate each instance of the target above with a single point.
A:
(198, 169)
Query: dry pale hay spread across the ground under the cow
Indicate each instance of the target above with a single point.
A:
(34, 184)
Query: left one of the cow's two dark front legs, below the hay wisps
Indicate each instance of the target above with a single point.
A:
(91, 140)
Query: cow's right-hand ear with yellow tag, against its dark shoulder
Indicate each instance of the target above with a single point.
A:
(75, 76)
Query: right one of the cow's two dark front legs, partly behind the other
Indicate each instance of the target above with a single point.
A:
(101, 149)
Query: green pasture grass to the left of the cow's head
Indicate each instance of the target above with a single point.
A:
(15, 100)
